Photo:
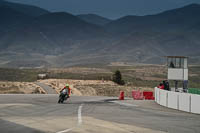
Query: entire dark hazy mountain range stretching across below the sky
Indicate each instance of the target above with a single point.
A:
(34, 37)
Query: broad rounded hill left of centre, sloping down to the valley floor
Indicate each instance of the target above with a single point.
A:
(48, 39)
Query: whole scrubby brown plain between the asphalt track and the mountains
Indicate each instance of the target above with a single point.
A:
(92, 80)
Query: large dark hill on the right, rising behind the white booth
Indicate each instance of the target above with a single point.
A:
(149, 38)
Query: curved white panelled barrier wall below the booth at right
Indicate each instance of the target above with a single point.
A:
(180, 101)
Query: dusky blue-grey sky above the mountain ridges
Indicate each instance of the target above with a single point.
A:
(109, 8)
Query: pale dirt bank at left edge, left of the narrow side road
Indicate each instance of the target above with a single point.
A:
(20, 88)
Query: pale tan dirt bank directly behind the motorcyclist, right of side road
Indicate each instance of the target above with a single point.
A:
(92, 87)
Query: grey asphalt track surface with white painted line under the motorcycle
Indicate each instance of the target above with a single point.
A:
(41, 114)
